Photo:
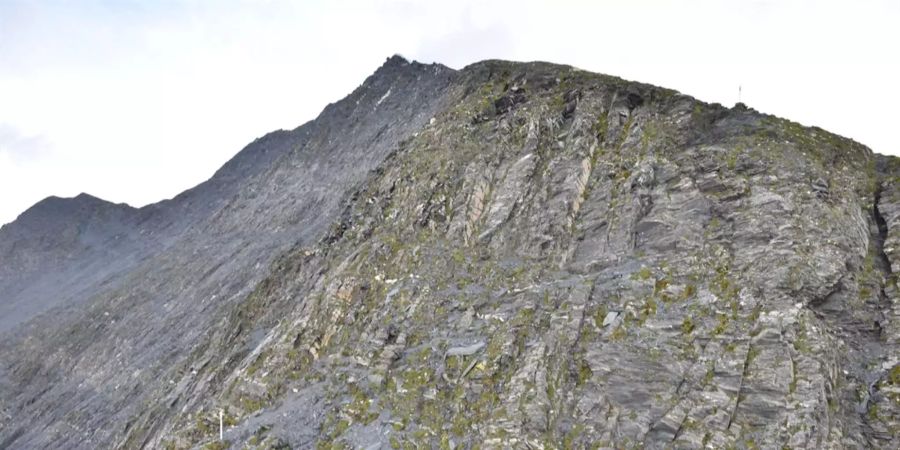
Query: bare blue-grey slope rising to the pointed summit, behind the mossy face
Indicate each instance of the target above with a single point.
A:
(91, 365)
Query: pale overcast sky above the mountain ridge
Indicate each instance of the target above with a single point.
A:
(137, 101)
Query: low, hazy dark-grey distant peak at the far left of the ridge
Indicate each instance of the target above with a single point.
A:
(54, 243)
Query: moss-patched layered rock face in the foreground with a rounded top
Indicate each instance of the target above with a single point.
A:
(602, 263)
